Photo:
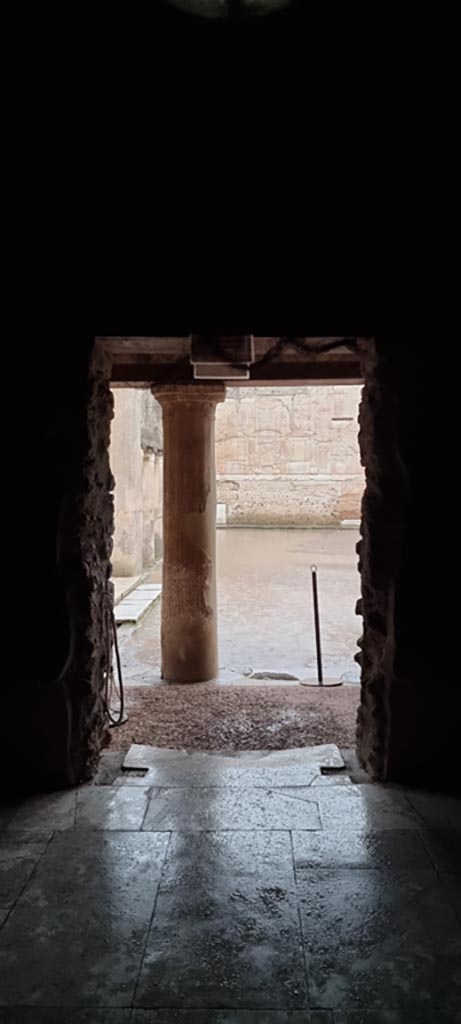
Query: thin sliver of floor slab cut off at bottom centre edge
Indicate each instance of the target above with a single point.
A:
(231, 1017)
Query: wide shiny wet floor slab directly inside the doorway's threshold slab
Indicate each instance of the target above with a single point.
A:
(215, 808)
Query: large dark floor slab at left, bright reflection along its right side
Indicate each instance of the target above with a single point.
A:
(77, 934)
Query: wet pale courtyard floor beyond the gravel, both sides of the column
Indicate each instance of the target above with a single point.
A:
(265, 607)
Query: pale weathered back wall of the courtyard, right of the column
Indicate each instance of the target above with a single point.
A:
(289, 456)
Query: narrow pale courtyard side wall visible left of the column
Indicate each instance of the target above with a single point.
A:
(137, 465)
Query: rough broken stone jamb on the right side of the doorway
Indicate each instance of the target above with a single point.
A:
(380, 549)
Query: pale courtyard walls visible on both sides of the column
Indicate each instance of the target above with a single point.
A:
(285, 457)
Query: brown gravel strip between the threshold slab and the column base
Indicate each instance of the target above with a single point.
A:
(206, 717)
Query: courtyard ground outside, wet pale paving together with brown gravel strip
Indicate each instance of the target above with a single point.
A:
(266, 625)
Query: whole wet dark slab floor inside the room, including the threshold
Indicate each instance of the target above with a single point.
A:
(259, 889)
